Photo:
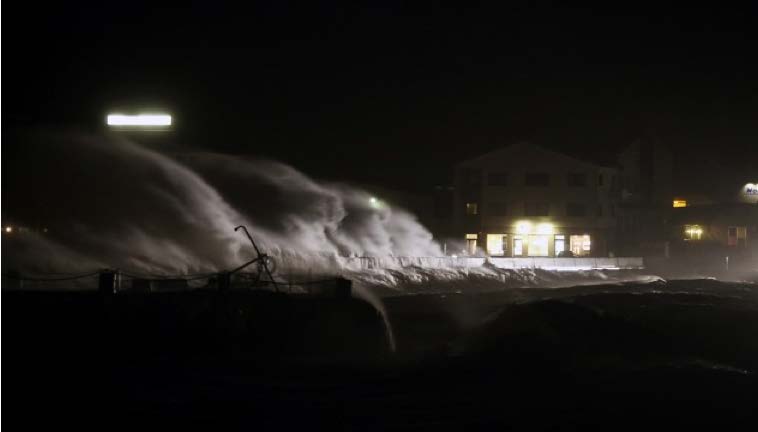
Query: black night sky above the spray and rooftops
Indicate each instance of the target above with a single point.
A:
(395, 93)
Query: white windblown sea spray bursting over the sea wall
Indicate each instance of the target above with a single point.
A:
(112, 202)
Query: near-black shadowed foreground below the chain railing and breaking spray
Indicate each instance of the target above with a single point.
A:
(587, 358)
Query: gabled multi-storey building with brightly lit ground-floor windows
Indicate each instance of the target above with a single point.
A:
(527, 201)
